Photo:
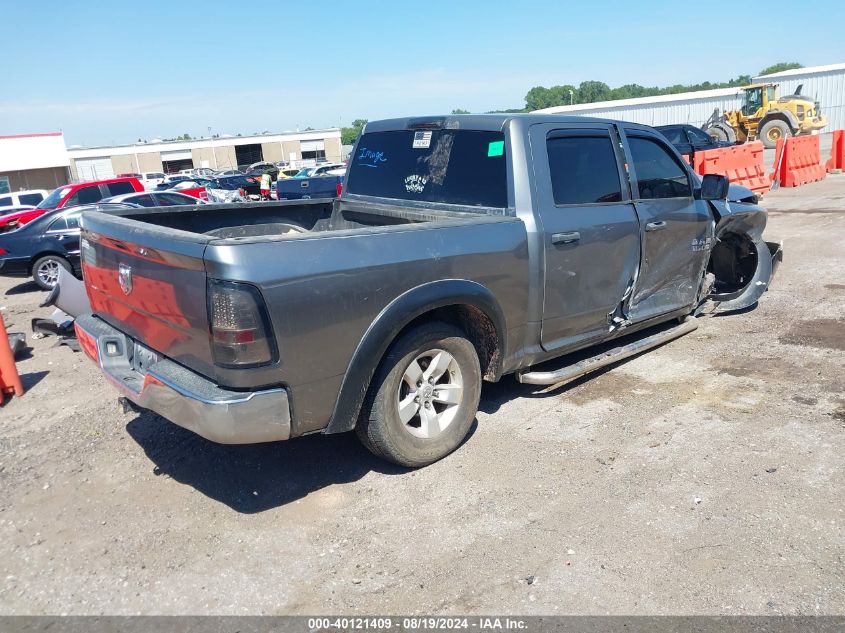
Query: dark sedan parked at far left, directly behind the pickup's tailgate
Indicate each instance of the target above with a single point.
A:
(45, 244)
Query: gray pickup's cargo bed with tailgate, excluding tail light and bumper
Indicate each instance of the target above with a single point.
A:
(325, 269)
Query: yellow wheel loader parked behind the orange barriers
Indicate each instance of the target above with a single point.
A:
(766, 116)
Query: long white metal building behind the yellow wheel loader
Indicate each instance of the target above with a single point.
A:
(824, 83)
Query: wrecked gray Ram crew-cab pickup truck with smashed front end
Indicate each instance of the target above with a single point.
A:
(463, 248)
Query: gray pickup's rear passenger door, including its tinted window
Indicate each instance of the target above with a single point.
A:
(591, 240)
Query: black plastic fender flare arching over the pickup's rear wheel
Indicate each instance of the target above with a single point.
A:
(389, 323)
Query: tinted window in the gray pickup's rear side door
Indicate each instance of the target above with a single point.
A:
(583, 169)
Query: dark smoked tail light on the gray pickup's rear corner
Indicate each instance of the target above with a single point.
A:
(240, 329)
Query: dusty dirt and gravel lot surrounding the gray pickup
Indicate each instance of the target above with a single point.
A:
(703, 477)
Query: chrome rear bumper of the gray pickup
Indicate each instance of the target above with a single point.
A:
(182, 396)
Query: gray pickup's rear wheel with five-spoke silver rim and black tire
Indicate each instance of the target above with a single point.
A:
(434, 424)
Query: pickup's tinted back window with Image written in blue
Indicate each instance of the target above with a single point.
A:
(465, 167)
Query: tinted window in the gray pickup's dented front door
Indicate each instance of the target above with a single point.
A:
(658, 174)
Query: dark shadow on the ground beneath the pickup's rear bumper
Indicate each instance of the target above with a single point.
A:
(253, 478)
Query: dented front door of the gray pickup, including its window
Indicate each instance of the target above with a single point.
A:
(677, 229)
